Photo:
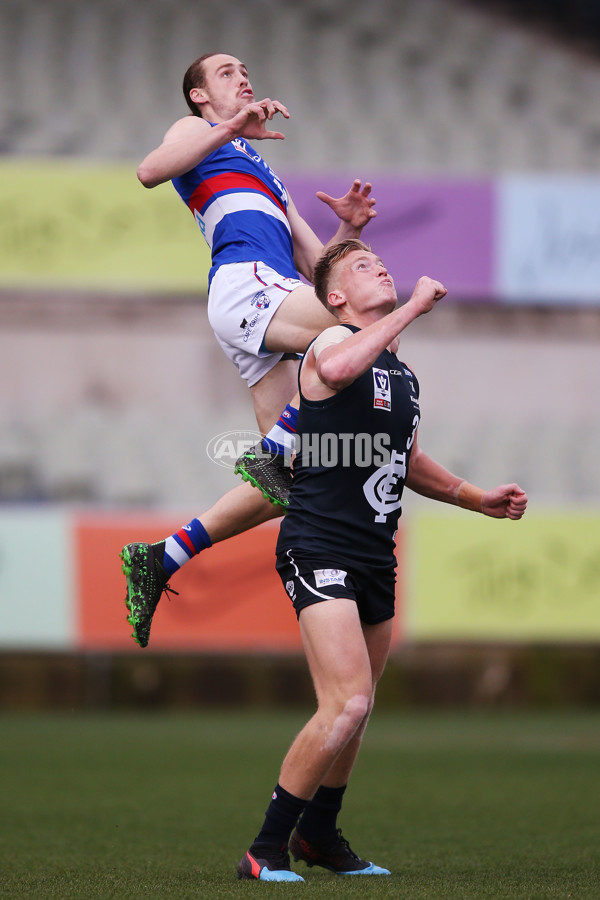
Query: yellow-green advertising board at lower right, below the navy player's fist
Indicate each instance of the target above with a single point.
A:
(475, 578)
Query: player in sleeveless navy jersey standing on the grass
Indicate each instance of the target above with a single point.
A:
(358, 448)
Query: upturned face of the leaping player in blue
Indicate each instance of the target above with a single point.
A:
(226, 87)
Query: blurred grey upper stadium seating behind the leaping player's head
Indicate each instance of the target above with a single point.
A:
(436, 85)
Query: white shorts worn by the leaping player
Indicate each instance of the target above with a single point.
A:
(241, 301)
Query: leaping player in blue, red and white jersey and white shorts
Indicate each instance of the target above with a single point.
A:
(261, 313)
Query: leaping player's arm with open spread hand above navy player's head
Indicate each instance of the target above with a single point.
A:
(354, 210)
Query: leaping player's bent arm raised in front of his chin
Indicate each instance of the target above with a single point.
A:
(191, 139)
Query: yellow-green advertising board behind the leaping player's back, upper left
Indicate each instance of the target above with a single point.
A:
(93, 225)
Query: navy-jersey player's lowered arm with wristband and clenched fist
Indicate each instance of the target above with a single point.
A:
(429, 478)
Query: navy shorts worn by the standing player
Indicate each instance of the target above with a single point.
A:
(309, 580)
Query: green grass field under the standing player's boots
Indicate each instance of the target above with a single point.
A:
(457, 805)
